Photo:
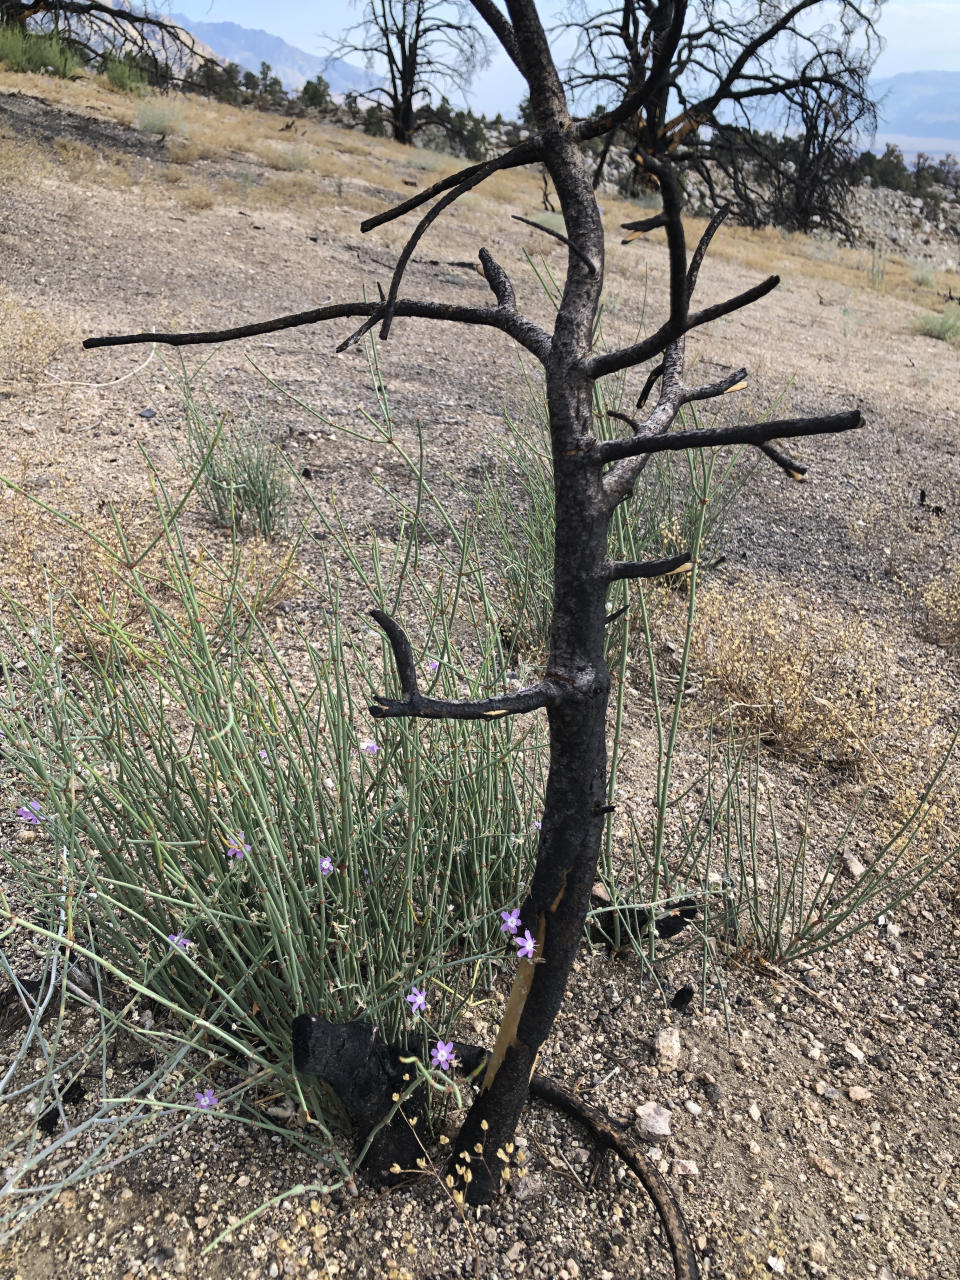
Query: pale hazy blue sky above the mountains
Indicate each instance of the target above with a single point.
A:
(921, 35)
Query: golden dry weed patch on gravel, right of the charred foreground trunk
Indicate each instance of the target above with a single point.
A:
(817, 685)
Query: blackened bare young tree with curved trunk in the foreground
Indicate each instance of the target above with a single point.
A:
(592, 476)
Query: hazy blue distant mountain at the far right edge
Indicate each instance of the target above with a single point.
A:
(920, 111)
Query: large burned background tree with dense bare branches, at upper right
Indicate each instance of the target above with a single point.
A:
(769, 98)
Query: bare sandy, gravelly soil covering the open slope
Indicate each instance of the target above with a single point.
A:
(813, 1132)
